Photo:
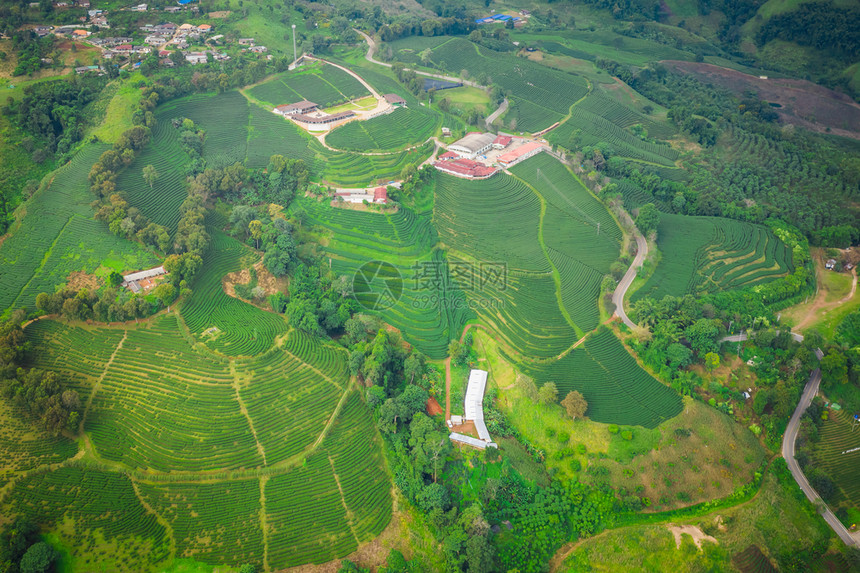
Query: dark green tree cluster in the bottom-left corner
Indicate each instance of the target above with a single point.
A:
(23, 551)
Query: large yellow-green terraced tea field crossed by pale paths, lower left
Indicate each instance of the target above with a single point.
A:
(271, 460)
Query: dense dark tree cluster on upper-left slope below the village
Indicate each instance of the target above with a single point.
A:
(52, 112)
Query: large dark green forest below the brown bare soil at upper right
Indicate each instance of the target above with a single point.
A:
(766, 171)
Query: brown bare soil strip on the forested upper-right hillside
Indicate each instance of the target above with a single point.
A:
(803, 103)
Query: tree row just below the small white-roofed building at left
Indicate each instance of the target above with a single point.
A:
(108, 305)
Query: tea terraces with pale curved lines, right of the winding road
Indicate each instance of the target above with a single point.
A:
(704, 255)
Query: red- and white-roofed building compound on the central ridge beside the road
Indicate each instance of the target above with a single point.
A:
(467, 157)
